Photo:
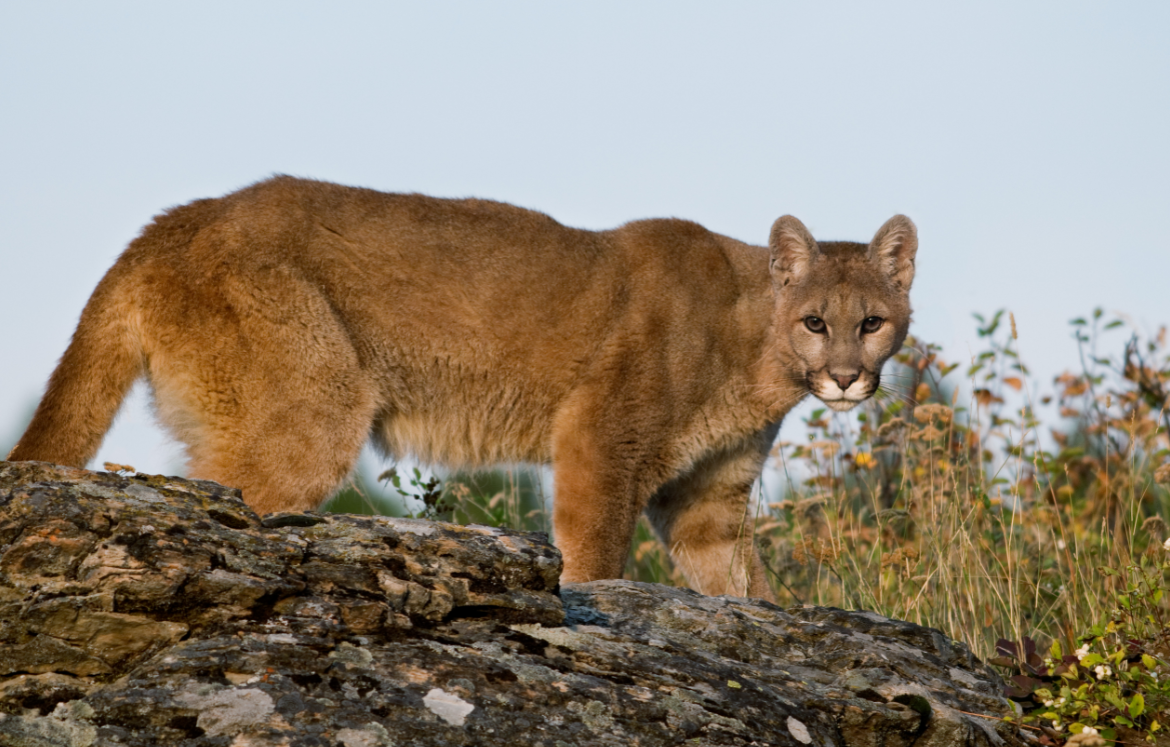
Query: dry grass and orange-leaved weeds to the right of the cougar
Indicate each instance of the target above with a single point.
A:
(972, 516)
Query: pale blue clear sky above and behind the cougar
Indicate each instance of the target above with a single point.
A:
(1028, 141)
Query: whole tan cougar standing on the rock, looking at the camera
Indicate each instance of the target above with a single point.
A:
(285, 325)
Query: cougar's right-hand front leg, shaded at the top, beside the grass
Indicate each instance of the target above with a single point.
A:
(705, 519)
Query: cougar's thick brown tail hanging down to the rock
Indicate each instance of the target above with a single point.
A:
(86, 392)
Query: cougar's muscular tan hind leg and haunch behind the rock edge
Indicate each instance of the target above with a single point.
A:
(277, 408)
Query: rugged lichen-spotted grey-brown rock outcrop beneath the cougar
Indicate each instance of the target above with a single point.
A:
(149, 611)
